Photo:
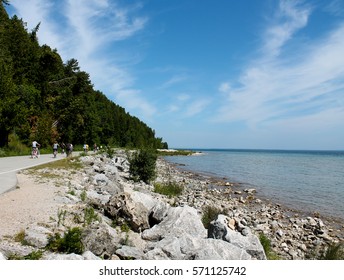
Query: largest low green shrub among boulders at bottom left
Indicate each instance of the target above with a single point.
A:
(69, 243)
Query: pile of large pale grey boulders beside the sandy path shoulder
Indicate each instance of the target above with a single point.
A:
(121, 219)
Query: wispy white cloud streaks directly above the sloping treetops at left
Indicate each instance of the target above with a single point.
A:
(89, 32)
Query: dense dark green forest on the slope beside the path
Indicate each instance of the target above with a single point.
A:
(44, 99)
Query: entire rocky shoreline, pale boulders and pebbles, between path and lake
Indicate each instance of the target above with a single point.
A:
(121, 219)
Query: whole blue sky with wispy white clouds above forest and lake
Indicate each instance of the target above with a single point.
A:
(210, 73)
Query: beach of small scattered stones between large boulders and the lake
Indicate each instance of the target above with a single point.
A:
(292, 235)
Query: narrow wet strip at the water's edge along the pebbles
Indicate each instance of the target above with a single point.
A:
(338, 222)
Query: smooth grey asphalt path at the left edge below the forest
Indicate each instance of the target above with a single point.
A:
(9, 166)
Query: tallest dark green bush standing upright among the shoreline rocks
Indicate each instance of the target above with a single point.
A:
(142, 165)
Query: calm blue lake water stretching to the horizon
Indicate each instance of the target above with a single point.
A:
(304, 180)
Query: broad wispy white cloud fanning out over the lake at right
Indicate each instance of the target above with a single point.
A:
(280, 85)
